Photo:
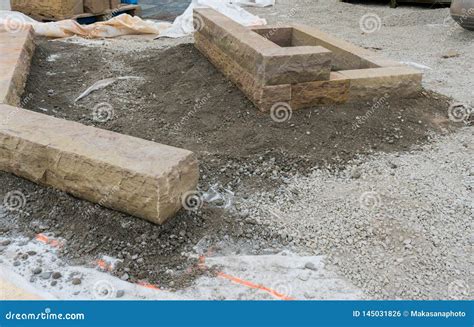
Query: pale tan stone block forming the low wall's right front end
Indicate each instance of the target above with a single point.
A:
(367, 84)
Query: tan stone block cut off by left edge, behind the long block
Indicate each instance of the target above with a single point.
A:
(16, 52)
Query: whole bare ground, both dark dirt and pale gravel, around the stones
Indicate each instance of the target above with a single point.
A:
(305, 184)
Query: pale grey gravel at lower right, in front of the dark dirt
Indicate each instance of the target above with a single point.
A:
(395, 235)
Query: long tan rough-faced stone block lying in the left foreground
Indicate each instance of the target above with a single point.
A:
(121, 172)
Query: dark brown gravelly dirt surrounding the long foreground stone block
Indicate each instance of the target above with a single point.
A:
(182, 100)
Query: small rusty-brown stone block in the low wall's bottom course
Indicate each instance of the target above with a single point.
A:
(333, 91)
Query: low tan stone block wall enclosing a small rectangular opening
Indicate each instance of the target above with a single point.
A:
(298, 65)
